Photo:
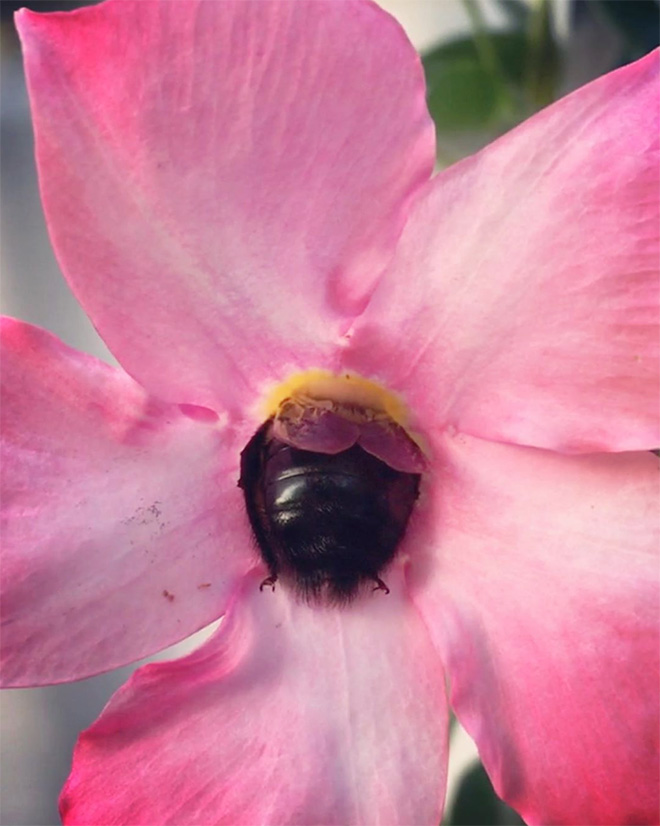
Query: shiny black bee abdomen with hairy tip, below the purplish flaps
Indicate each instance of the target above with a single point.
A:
(326, 523)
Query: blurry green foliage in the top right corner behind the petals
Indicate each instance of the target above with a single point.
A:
(481, 85)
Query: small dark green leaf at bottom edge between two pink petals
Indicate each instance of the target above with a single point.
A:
(477, 804)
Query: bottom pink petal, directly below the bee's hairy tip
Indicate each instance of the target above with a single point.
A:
(287, 715)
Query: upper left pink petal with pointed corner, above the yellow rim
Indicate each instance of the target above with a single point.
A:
(224, 182)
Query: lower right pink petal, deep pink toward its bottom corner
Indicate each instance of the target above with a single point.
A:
(544, 603)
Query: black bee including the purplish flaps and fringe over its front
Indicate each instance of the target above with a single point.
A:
(329, 512)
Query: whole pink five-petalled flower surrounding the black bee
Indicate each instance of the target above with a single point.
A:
(240, 191)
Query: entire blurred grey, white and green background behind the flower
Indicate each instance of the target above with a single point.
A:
(489, 65)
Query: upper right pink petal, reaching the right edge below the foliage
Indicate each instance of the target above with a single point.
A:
(523, 303)
